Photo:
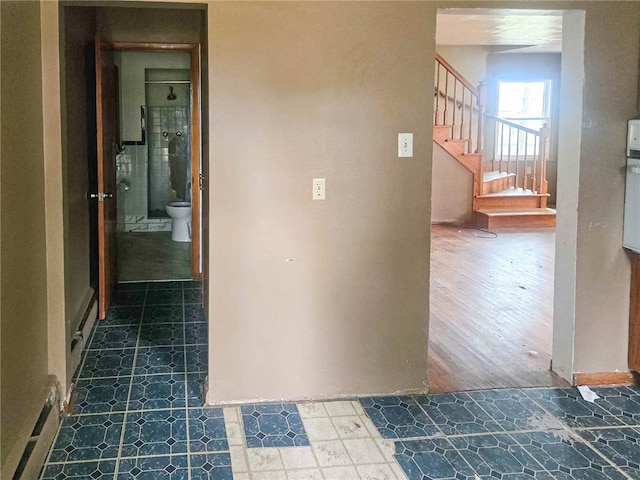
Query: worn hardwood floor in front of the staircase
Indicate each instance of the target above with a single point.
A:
(491, 309)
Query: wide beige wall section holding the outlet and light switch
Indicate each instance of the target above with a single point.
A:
(314, 299)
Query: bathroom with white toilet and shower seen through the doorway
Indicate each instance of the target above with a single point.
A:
(154, 166)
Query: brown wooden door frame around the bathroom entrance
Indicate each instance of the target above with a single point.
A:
(193, 49)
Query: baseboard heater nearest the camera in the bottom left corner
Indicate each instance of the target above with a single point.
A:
(44, 430)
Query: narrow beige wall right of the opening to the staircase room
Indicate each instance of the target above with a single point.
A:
(612, 31)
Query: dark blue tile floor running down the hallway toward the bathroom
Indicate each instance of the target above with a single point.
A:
(138, 412)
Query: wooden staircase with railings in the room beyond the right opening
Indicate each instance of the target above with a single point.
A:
(510, 189)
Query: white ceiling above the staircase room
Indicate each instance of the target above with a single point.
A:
(527, 30)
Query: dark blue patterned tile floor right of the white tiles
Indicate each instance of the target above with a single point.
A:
(542, 433)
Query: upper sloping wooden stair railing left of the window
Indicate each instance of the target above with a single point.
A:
(460, 105)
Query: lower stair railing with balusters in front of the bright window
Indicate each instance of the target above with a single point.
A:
(520, 151)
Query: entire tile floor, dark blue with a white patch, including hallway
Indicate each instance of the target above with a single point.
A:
(139, 414)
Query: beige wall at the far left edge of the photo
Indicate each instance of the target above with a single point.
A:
(23, 287)
